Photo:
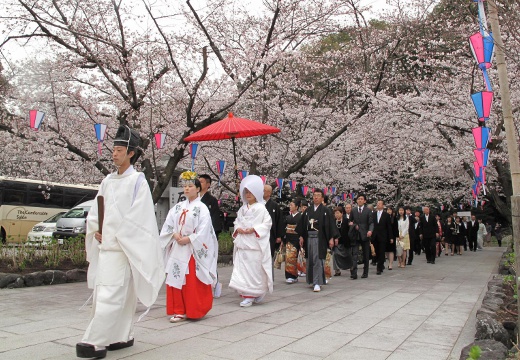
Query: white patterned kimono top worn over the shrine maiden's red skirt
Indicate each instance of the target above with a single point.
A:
(196, 224)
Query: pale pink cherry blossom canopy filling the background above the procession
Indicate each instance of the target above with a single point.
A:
(377, 106)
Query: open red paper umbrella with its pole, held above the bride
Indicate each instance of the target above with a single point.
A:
(232, 128)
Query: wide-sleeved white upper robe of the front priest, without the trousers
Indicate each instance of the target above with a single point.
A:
(129, 226)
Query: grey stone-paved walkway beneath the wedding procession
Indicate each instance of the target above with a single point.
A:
(421, 312)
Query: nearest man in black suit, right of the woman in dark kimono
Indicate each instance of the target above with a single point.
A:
(362, 216)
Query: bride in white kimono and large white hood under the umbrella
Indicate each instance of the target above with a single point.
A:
(252, 275)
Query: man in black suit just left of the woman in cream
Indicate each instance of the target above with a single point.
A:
(382, 234)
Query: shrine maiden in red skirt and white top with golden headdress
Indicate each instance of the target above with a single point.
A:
(190, 252)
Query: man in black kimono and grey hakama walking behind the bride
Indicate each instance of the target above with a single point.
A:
(318, 231)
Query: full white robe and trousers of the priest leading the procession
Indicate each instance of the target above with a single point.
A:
(127, 265)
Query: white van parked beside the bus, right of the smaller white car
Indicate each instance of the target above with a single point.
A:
(73, 223)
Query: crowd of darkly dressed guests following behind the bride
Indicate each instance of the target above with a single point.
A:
(353, 236)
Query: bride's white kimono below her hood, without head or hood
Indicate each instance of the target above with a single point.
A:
(252, 264)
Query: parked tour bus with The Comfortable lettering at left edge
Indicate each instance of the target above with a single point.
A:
(24, 203)
